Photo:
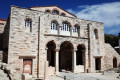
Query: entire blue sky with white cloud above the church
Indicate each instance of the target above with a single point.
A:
(106, 11)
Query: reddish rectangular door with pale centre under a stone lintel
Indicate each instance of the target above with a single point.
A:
(27, 66)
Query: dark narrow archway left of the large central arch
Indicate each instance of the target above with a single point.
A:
(51, 53)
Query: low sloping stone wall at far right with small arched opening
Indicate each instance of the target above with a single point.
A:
(109, 54)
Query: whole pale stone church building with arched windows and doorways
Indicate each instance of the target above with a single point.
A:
(46, 40)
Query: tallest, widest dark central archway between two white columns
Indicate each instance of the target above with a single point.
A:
(65, 57)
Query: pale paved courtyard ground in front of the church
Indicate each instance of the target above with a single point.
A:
(85, 76)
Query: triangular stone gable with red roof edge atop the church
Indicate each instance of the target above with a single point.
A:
(51, 8)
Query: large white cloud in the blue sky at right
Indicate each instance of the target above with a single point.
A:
(108, 13)
